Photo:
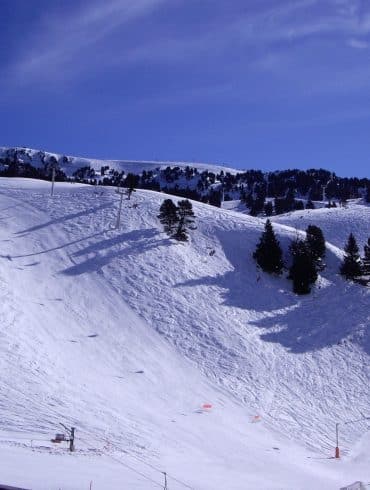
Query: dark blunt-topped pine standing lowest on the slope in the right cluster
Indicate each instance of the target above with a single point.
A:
(303, 270)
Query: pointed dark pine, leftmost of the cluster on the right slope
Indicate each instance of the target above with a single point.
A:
(268, 253)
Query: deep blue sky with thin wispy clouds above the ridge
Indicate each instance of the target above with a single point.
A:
(266, 84)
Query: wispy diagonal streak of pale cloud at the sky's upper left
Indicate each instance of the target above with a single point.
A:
(62, 46)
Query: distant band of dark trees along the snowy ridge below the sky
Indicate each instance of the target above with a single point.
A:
(262, 193)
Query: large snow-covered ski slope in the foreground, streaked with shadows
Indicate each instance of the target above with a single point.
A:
(125, 334)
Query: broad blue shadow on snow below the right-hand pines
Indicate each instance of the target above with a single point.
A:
(335, 314)
